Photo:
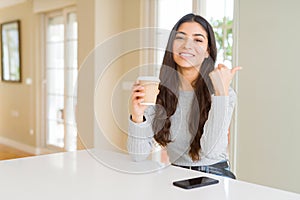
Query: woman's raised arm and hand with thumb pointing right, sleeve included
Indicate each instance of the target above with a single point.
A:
(214, 140)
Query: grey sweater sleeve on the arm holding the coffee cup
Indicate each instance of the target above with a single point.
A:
(140, 137)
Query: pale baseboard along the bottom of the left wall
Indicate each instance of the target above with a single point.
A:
(23, 147)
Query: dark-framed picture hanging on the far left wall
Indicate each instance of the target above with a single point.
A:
(10, 51)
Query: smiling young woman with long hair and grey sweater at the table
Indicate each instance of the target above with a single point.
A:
(194, 105)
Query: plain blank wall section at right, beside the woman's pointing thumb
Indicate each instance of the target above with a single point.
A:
(269, 93)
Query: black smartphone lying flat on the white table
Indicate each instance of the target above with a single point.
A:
(195, 182)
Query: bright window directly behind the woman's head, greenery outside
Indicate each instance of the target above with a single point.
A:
(218, 12)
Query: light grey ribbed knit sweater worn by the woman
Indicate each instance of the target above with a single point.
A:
(214, 140)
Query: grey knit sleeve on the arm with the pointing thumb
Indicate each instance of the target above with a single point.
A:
(215, 134)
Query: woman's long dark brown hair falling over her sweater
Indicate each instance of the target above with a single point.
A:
(169, 91)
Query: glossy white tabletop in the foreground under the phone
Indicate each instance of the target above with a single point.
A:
(79, 175)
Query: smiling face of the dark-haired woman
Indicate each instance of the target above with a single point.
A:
(190, 45)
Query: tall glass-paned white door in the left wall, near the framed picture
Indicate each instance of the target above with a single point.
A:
(61, 74)
